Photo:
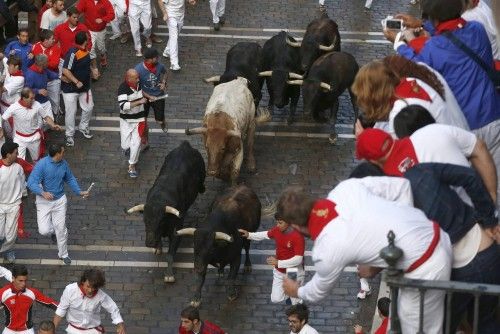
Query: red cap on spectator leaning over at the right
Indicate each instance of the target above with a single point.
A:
(373, 144)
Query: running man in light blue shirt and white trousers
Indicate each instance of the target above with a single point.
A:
(47, 182)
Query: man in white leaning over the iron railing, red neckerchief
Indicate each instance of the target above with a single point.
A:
(351, 226)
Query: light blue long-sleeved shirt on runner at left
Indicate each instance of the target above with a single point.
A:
(51, 176)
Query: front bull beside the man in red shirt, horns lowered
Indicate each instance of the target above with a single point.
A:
(219, 243)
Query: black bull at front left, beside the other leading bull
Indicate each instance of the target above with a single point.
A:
(181, 178)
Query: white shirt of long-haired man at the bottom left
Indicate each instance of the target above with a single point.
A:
(83, 311)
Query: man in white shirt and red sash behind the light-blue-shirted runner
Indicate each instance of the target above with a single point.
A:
(27, 132)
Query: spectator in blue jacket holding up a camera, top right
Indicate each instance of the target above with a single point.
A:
(474, 90)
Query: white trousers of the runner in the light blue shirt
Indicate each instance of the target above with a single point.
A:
(51, 218)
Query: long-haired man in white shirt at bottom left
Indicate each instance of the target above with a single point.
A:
(81, 305)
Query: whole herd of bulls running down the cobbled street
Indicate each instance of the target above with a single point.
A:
(230, 119)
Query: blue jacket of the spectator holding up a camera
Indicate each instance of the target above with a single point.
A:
(470, 84)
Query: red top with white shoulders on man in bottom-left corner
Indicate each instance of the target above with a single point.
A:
(18, 304)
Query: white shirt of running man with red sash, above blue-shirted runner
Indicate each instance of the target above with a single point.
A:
(26, 120)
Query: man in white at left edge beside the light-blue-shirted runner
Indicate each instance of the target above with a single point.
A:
(12, 185)
